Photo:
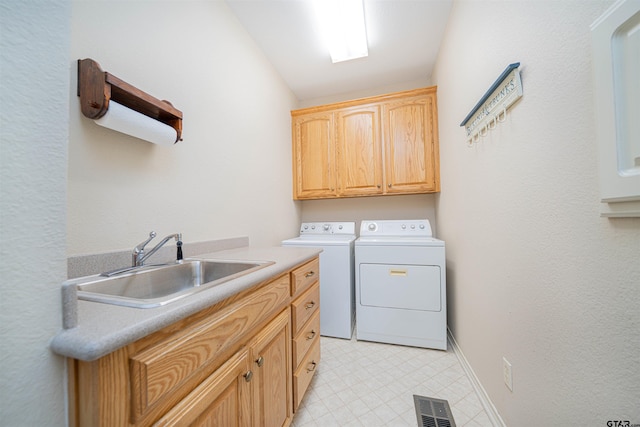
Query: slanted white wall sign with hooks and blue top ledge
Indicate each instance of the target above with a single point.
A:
(492, 107)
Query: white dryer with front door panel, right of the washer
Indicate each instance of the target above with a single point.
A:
(401, 293)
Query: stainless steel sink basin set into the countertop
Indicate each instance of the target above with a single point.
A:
(154, 286)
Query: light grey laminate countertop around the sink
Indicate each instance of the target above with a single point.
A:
(104, 328)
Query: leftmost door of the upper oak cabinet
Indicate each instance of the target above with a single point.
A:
(314, 156)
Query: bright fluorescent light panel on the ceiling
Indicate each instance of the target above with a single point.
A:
(342, 24)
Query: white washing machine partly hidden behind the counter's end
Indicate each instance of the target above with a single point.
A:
(337, 275)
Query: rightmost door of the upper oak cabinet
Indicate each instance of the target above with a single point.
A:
(410, 145)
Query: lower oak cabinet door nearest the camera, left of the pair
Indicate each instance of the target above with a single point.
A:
(223, 399)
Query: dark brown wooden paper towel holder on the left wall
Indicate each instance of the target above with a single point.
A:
(96, 88)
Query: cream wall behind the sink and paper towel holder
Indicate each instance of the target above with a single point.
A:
(231, 176)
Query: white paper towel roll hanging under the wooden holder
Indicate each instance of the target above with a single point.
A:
(130, 122)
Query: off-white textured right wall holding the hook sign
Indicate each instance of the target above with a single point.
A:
(534, 273)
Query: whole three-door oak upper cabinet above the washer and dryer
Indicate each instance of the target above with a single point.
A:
(372, 146)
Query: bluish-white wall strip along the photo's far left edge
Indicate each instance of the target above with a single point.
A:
(34, 115)
